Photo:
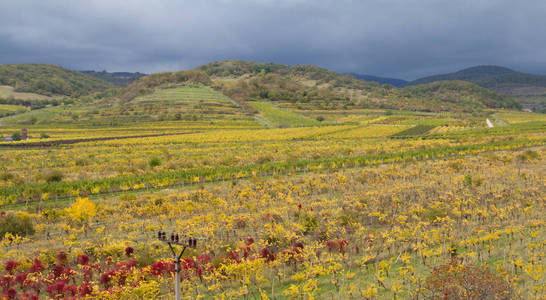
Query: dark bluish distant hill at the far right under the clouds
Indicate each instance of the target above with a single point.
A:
(529, 89)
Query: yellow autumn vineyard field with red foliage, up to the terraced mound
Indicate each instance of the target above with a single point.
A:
(367, 204)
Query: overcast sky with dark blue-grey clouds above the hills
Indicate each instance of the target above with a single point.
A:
(404, 39)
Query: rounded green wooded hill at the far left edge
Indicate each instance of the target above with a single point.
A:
(50, 80)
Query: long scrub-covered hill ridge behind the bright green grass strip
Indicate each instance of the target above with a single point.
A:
(317, 88)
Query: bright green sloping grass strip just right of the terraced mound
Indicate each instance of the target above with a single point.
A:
(278, 117)
